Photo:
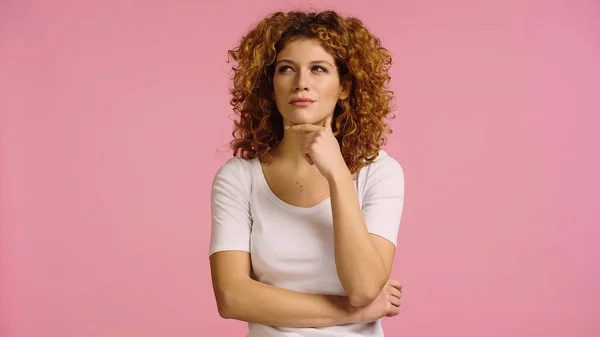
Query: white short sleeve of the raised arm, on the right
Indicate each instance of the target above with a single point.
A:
(383, 198)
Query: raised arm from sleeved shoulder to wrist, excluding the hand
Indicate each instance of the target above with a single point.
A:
(363, 251)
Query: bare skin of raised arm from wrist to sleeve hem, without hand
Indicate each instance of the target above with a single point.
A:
(363, 260)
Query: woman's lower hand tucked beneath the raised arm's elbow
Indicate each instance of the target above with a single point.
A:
(387, 303)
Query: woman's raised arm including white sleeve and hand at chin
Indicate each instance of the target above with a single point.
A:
(364, 240)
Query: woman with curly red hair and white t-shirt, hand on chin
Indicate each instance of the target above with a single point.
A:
(305, 215)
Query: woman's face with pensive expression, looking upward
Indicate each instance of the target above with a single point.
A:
(305, 70)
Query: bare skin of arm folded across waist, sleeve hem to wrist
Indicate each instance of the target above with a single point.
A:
(242, 298)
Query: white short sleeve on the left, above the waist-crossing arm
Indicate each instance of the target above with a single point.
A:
(231, 221)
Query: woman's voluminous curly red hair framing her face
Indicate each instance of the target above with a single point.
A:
(358, 121)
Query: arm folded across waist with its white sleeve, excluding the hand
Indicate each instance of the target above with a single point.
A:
(240, 297)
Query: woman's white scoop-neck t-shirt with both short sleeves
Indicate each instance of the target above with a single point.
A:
(292, 247)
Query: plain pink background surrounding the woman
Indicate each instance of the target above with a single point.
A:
(115, 116)
